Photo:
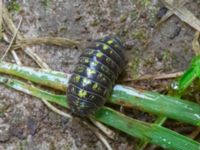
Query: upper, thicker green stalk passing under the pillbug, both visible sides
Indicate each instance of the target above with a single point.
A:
(122, 95)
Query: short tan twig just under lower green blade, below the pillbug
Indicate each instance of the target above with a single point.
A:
(108, 132)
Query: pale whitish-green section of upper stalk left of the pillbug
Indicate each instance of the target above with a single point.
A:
(45, 77)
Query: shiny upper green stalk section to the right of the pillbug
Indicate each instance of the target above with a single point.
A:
(156, 103)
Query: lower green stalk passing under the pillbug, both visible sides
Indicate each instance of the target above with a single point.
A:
(153, 133)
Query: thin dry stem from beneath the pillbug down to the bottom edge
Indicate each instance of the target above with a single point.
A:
(99, 135)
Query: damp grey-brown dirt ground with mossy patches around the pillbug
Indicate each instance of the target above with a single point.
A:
(26, 123)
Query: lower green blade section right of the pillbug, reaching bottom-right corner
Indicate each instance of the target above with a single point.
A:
(149, 132)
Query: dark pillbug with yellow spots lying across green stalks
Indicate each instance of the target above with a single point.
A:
(94, 75)
